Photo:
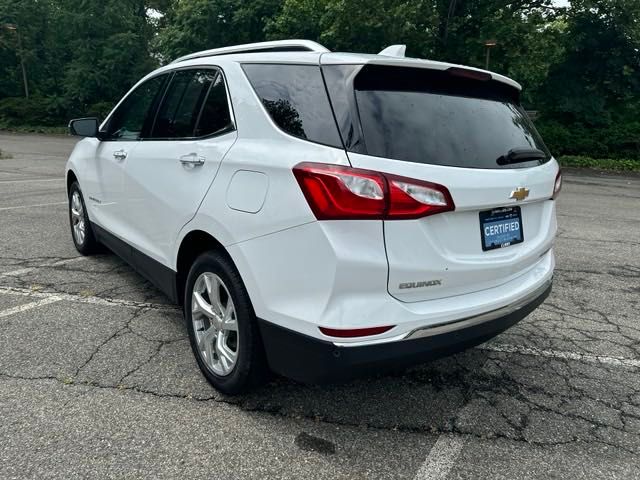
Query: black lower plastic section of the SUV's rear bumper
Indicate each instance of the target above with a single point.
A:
(310, 360)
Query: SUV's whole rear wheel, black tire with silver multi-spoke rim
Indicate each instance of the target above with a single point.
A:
(223, 329)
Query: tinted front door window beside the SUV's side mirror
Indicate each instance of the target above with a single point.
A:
(133, 118)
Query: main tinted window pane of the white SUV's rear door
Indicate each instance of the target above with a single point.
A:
(180, 109)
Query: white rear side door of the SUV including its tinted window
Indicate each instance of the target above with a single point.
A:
(173, 167)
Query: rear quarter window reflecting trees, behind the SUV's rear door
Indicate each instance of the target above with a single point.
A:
(296, 99)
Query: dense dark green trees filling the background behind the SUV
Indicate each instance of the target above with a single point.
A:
(580, 66)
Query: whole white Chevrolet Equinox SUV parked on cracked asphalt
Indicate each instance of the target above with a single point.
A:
(322, 215)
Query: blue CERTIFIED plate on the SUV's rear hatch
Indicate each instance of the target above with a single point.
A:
(501, 227)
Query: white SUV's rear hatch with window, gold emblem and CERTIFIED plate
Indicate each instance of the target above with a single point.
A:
(466, 131)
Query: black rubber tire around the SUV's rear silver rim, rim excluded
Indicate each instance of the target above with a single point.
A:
(250, 369)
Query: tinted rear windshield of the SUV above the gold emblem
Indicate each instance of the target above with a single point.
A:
(434, 117)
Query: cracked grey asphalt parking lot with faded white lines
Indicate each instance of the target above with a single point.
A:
(97, 379)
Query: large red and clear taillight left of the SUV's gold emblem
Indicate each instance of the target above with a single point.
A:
(338, 193)
